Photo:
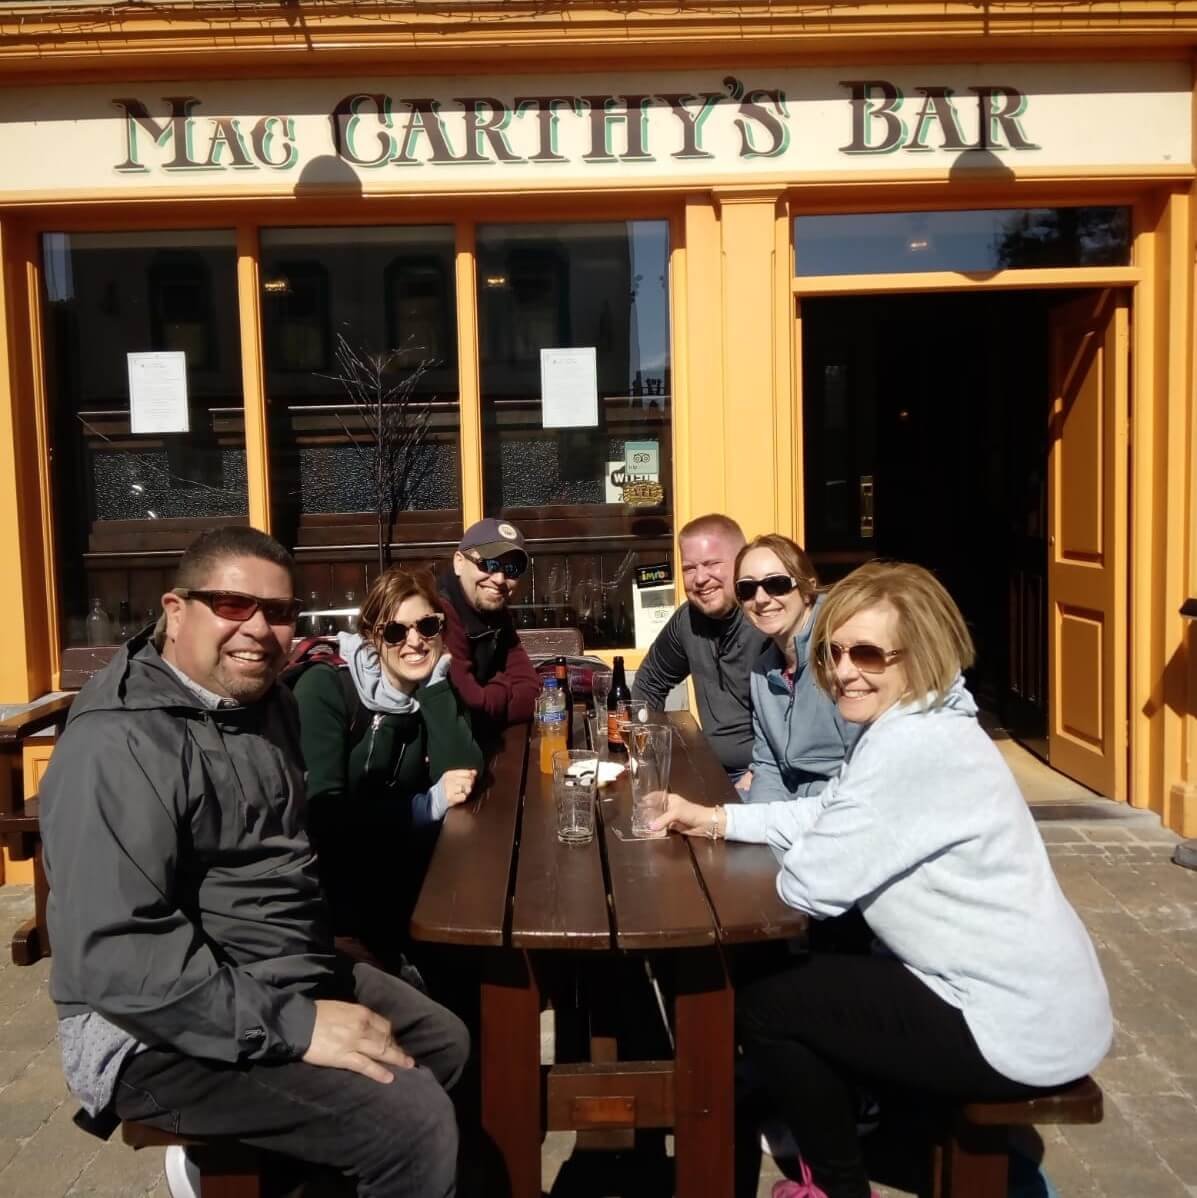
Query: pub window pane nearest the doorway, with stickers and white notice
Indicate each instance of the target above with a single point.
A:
(591, 521)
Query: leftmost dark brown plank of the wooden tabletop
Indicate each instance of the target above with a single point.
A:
(464, 899)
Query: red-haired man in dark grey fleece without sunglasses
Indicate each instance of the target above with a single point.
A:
(709, 639)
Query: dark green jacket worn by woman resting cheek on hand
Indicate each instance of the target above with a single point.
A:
(370, 803)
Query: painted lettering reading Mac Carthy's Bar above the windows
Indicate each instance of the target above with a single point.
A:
(373, 130)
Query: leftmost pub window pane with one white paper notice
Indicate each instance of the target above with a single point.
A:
(126, 504)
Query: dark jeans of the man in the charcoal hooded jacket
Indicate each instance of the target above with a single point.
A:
(396, 1141)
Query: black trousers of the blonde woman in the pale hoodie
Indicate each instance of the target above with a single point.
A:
(829, 1021)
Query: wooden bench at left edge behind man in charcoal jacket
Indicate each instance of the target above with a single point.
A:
(20, 826)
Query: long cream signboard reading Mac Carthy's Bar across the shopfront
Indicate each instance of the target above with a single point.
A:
(386, 135)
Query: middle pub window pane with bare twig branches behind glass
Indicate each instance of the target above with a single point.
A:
(386, 299)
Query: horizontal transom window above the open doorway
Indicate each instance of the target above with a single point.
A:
(993, 240)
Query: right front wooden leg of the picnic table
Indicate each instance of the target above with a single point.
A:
(704, 1084)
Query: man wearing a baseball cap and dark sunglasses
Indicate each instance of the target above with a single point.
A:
(492, 670)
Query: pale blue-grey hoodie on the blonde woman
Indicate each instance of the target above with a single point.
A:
(927, 832)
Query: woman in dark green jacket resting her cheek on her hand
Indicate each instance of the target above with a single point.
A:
(386, 759)
